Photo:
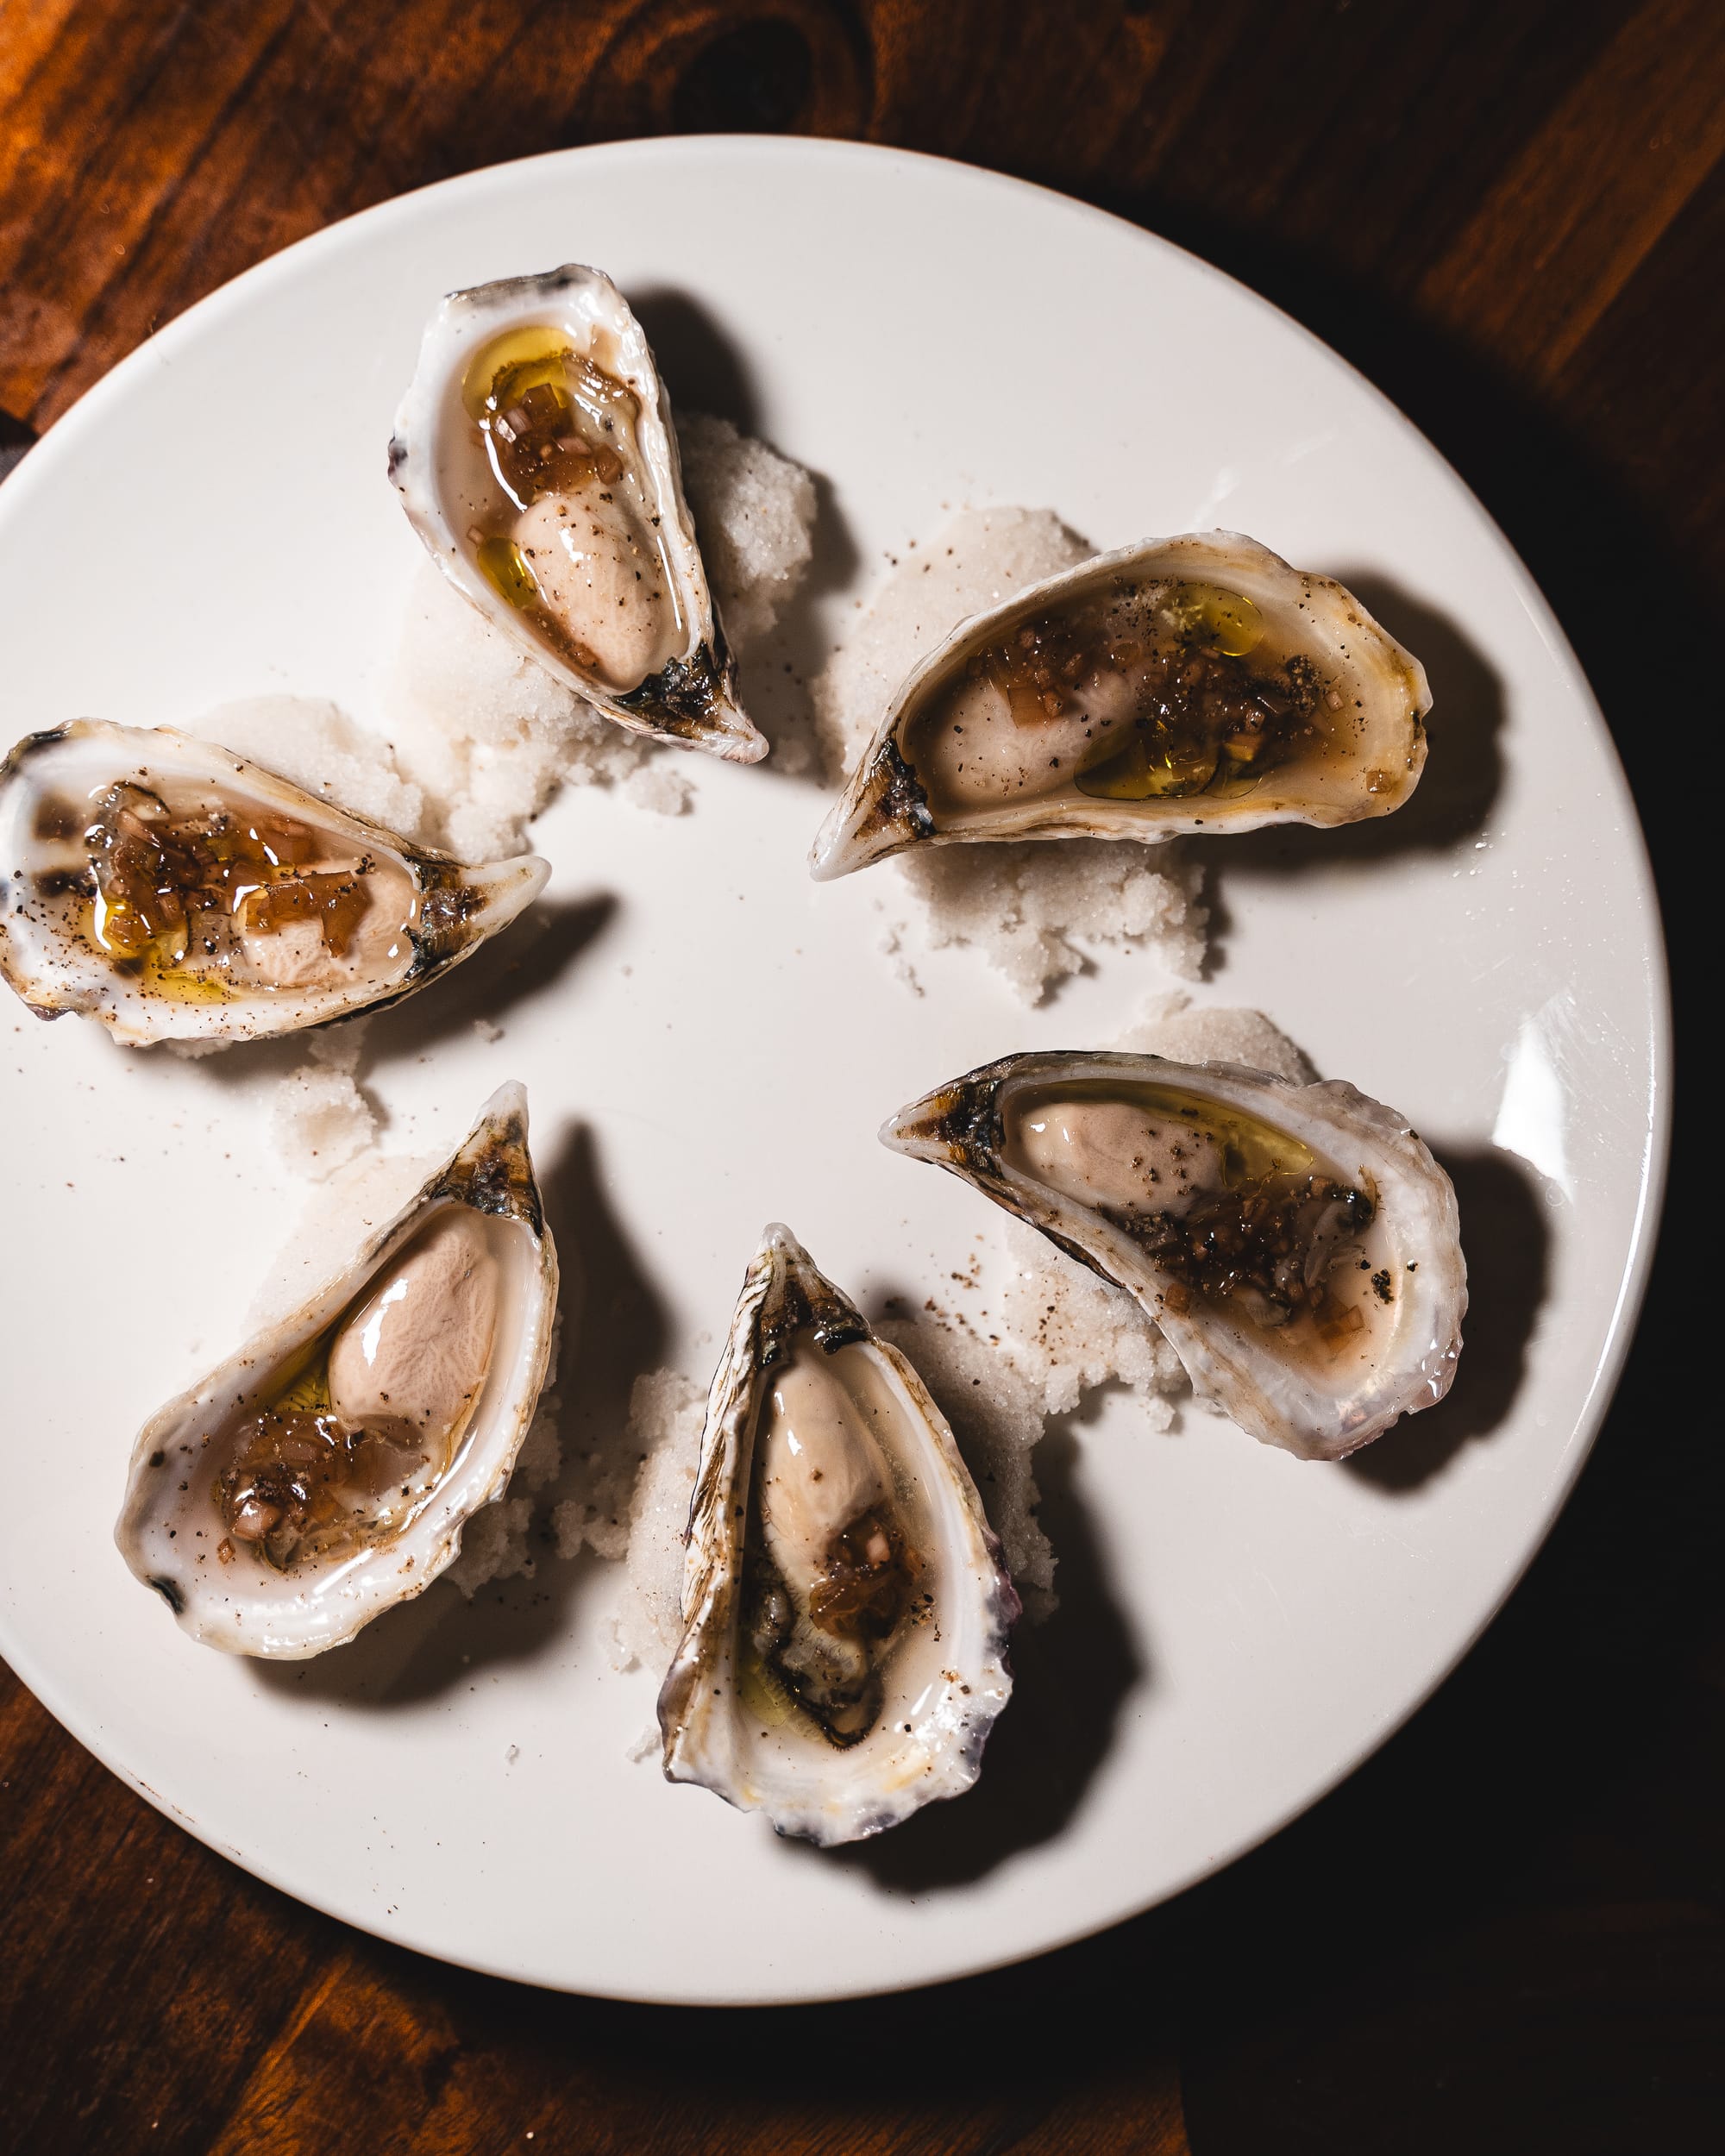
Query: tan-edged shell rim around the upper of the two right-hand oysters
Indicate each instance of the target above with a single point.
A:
(885, 807)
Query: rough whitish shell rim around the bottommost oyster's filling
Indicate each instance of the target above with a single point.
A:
(950, 1681)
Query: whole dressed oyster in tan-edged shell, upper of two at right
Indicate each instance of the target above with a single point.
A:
(1172, 687)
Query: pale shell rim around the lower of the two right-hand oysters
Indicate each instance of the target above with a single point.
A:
(1232, 1362)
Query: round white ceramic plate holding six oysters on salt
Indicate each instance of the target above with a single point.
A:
(1239, 1629)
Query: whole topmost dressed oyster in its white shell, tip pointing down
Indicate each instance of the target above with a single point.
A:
(538, 462)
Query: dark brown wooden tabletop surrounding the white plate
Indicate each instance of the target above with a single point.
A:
(1506, 1931)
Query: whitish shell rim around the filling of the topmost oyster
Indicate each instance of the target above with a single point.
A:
(693, 700)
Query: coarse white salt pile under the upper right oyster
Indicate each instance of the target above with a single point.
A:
(1032, 909)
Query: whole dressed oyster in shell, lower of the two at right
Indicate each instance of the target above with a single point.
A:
(1297, 1243)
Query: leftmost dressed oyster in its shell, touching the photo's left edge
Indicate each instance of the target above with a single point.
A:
(178, 892)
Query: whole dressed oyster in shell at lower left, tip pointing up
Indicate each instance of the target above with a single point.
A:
(329, 1467)
